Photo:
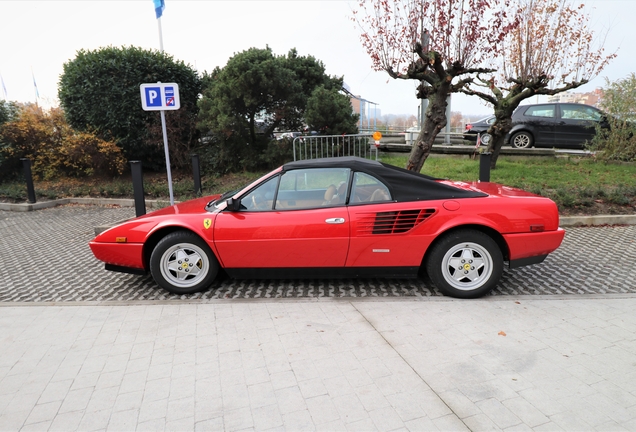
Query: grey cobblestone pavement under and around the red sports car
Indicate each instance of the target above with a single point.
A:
(45, 258)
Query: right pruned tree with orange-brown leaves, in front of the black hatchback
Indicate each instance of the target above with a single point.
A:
(552, 50)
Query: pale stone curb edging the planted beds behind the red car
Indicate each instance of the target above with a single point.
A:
(564, 221)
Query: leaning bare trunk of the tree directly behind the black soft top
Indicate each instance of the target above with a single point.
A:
(434, 122)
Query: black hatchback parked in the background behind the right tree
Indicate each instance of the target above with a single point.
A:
(561, 125)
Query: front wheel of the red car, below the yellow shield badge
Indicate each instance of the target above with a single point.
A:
(183, 263)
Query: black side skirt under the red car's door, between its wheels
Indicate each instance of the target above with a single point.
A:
(322, 273)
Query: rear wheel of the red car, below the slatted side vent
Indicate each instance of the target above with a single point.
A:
(477, 254)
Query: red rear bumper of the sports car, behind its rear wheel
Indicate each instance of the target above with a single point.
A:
(523, 247)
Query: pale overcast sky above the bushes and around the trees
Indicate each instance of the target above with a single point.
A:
(38, 37)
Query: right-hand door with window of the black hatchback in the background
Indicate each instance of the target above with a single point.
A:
(576, 125)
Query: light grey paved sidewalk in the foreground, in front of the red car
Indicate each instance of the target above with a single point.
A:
(513, 363)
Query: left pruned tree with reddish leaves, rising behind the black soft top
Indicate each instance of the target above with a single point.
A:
(439, 43)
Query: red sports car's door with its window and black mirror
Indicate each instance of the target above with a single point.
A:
(297, 219)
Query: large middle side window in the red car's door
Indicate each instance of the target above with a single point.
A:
(312, 188)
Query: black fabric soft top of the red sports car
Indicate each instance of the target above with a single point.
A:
(403, 184)
